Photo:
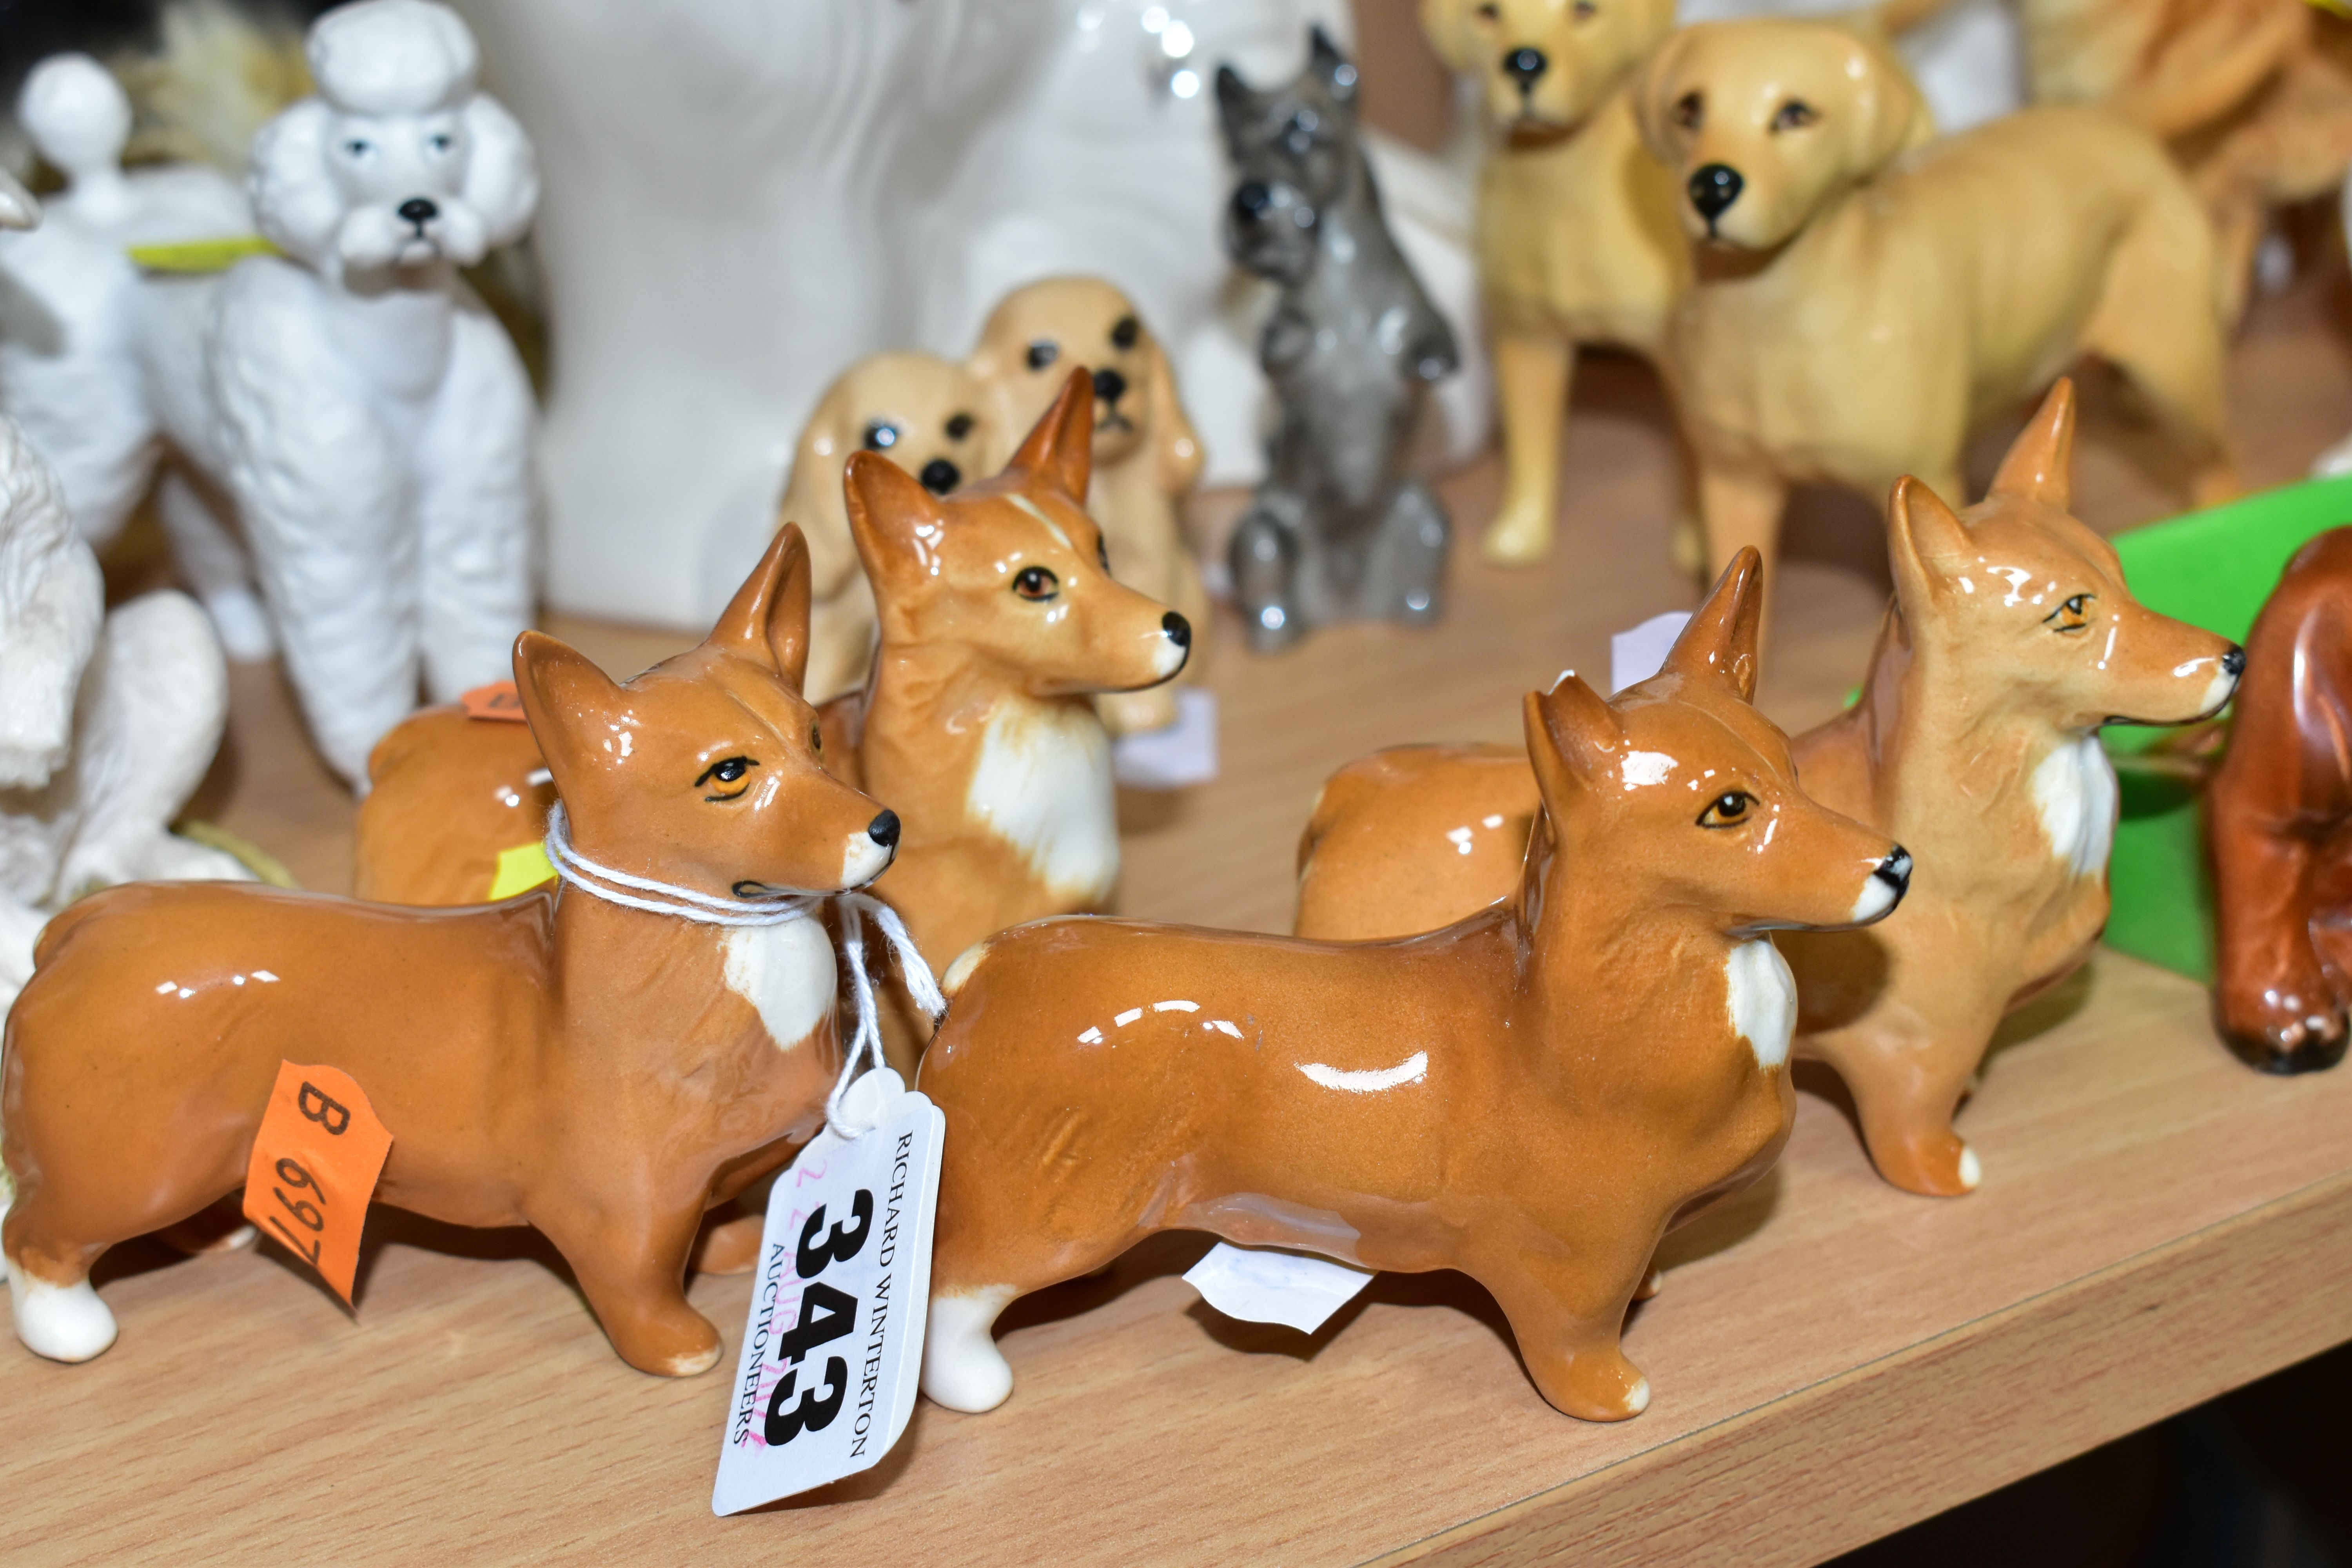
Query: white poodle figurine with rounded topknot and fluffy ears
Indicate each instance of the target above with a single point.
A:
(352, 398)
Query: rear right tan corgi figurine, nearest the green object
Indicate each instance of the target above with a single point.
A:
(1977, 742)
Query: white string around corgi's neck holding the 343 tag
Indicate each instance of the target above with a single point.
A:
(770, 909)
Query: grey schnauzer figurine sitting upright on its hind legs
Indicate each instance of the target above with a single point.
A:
(1337, 532)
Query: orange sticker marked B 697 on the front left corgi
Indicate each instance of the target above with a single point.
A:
(314, 1167)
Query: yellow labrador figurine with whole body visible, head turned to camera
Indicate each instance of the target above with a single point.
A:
(1864, 297)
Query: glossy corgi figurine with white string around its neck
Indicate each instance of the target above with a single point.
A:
(566, 1059)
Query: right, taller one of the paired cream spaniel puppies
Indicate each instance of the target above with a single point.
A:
(1147, 455)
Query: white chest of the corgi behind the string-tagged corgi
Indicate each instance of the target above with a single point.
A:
(1043, 786)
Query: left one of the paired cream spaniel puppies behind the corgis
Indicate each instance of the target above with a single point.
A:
(921, 413)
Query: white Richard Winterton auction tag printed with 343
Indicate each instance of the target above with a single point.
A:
(834, 1343)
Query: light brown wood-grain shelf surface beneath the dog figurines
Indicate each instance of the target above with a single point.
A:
(1831, 1358)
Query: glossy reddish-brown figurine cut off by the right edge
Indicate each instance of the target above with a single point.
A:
(2276, 824)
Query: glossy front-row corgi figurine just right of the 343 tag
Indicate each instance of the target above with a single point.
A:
(1532, 1094)
